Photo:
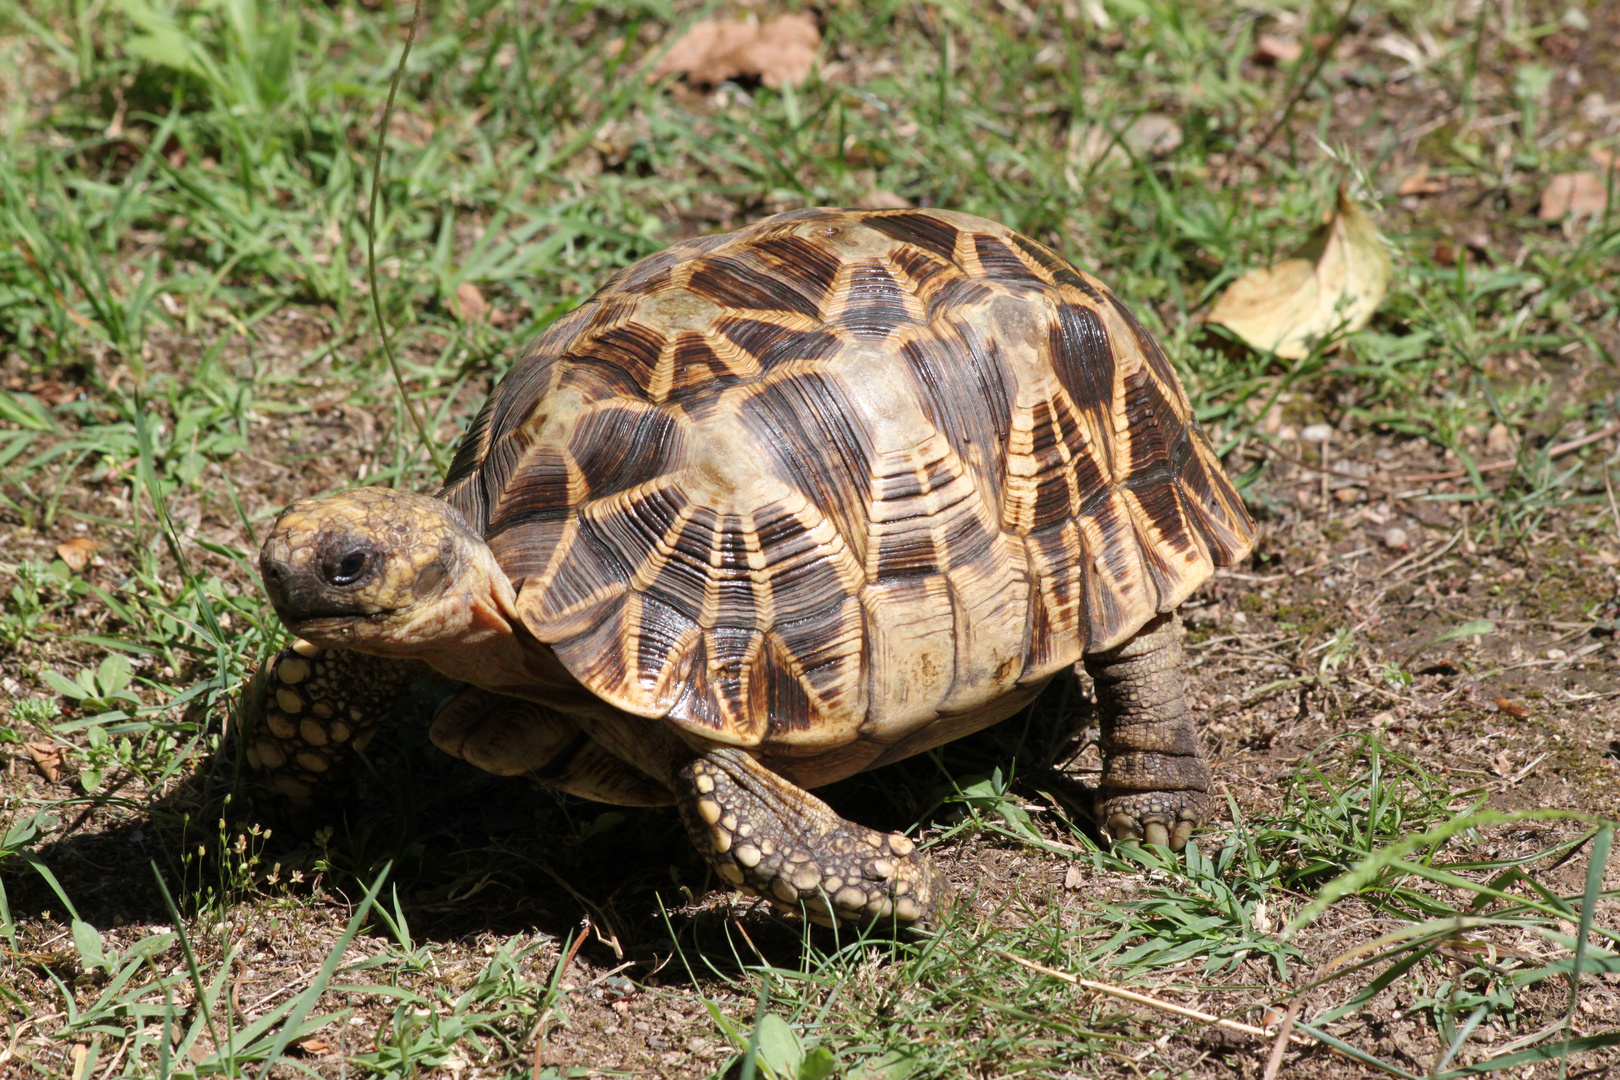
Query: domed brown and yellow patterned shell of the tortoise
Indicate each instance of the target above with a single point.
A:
(843, 475)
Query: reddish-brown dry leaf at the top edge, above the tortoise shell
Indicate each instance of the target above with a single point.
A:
(778, 53)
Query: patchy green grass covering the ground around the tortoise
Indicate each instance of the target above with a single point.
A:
(184, 302)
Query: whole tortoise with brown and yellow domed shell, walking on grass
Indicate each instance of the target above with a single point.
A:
(772, 509)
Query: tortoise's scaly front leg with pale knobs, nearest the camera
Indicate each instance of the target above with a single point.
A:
(772, 840)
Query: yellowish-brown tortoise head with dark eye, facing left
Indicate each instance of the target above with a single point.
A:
(385, 572)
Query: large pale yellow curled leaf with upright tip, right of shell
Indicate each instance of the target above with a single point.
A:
(1332, 284)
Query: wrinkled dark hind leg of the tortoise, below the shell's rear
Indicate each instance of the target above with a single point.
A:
(1156, 784)
